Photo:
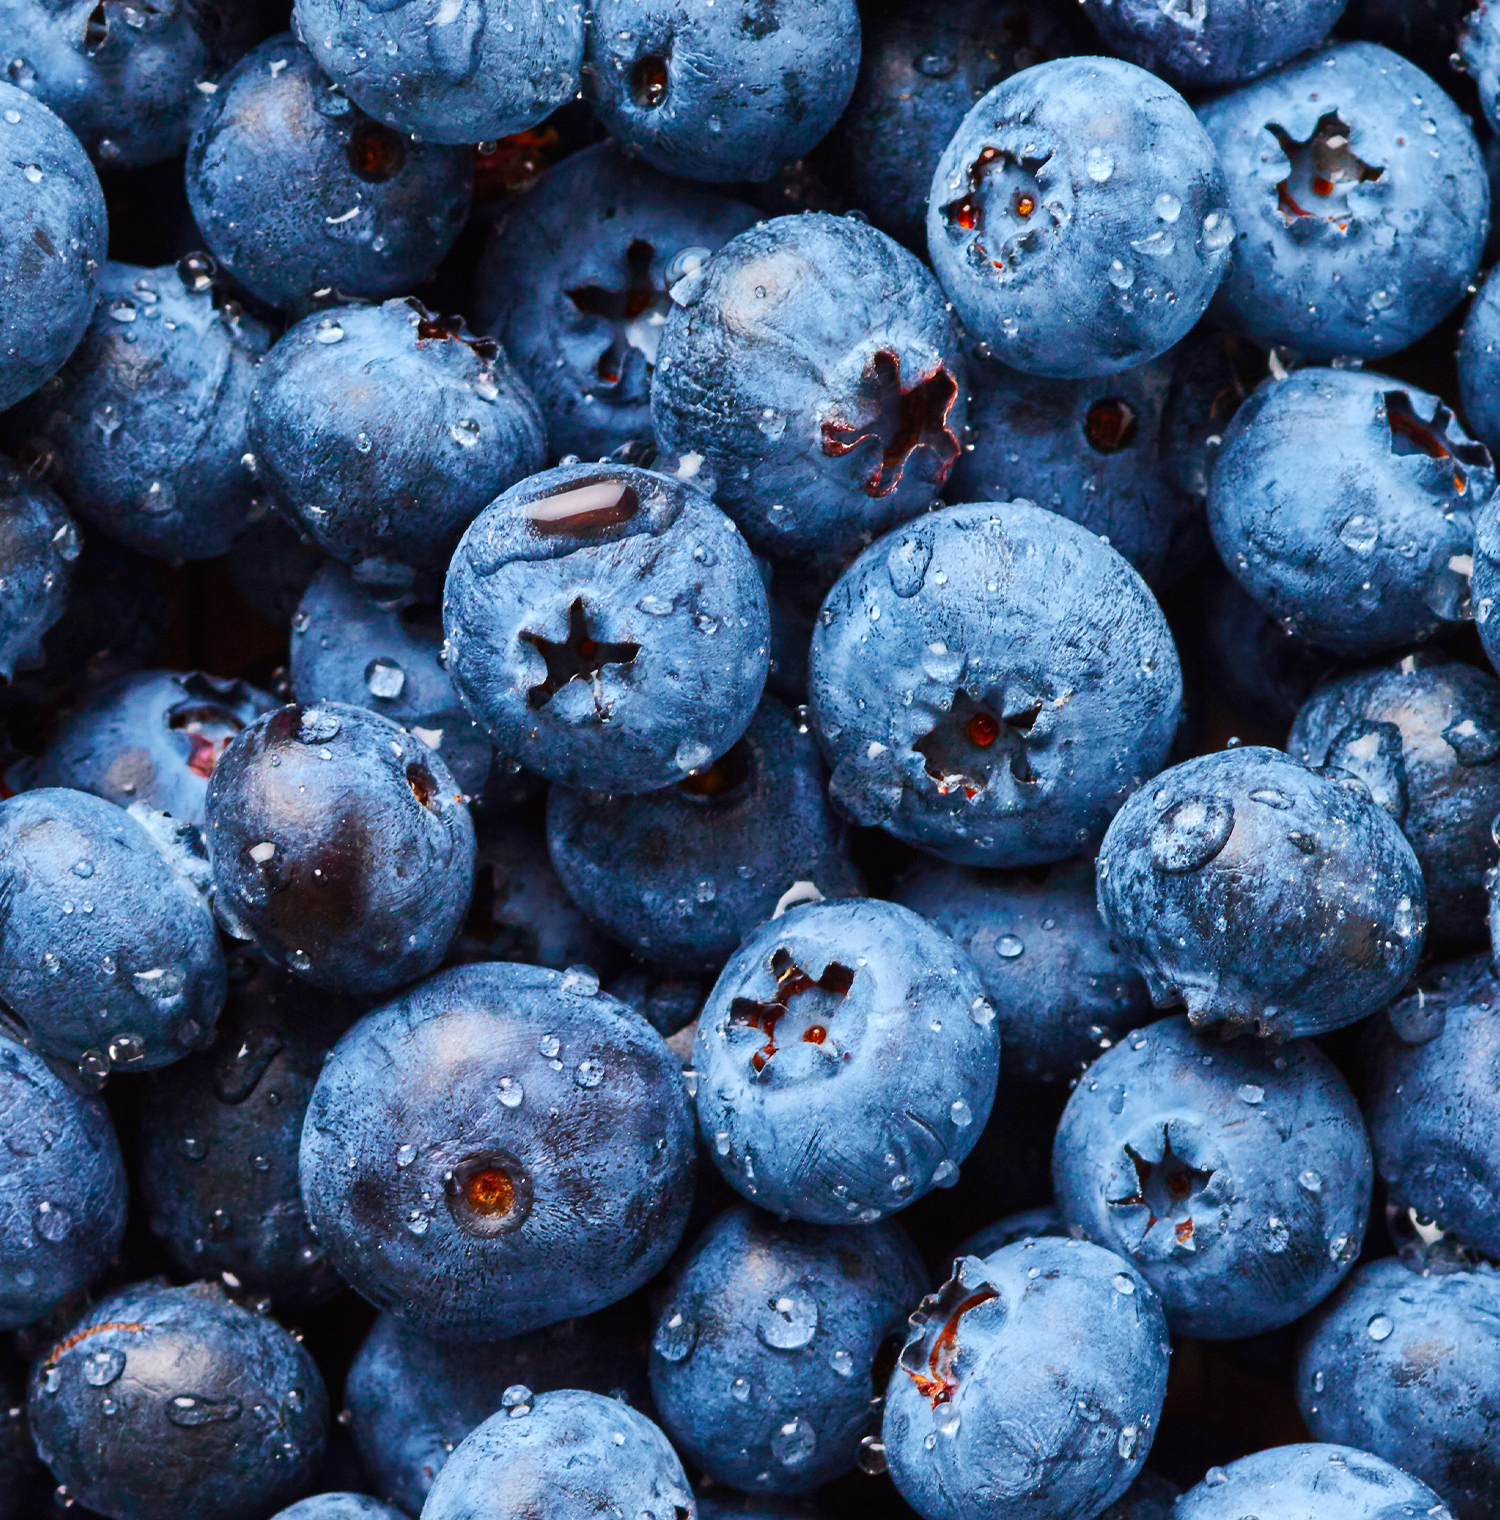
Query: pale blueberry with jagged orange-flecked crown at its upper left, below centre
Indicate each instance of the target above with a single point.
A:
(847, 1063)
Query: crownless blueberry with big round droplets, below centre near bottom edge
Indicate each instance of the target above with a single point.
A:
(765, 1344)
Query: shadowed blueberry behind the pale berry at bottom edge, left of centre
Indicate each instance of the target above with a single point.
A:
(413, 1401)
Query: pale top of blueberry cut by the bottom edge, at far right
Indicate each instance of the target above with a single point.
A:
(1309, 1483)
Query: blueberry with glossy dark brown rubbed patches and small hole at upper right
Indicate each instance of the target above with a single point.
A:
(372, 850)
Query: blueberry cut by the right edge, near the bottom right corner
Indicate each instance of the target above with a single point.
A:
(1407, 1367)
